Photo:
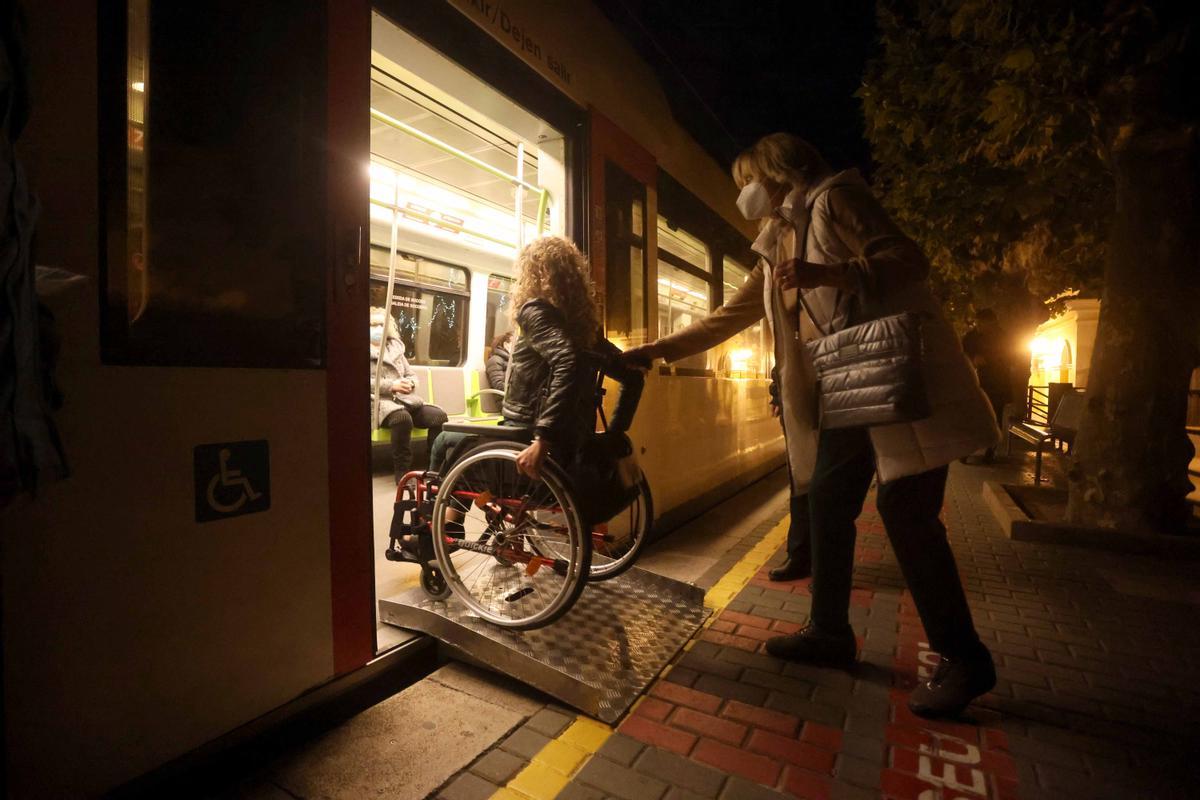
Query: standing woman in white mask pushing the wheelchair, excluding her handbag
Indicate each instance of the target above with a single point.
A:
(829, 237)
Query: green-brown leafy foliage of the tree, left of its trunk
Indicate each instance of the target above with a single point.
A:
(982, 116)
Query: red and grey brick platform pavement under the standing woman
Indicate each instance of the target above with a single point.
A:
(1096, 696)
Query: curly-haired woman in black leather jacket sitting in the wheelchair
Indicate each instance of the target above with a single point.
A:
(559, 356)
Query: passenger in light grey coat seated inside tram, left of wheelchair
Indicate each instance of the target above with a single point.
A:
(401, 408)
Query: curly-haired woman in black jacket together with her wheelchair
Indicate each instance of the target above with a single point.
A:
(521, 513)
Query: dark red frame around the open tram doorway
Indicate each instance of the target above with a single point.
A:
(451, 33)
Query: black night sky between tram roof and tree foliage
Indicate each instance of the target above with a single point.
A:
(736, 71)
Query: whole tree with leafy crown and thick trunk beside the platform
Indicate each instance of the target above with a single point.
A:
(1051, 146)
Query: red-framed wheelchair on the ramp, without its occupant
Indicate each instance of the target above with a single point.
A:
(517, 551)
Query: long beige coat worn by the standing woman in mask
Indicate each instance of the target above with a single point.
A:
(845, 225)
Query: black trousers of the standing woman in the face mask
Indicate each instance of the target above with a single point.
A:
(910, 508)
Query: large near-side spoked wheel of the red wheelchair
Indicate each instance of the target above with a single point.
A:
(524, 556)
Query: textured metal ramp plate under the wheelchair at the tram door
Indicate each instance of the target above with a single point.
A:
(599, 658)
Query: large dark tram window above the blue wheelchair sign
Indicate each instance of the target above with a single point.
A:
(214, 248)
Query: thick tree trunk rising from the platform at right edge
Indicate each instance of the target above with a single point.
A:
(1129, 468)
